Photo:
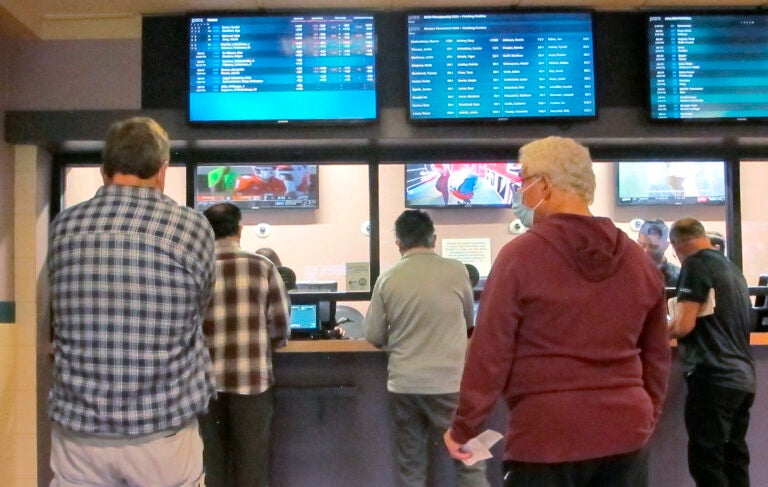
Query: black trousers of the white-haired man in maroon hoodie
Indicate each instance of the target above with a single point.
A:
(628, 470)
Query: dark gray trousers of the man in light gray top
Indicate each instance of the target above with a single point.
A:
(417, 418)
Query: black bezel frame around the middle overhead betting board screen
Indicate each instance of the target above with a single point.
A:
(507, 119)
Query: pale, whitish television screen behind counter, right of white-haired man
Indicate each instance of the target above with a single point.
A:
(670, 183)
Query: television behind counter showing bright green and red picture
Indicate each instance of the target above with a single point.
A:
(257, 186)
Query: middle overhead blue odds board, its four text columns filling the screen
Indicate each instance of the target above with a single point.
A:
(501, 66)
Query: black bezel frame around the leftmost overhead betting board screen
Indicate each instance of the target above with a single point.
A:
(281, 121)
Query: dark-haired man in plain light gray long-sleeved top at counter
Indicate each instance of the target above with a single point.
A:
(420, 312)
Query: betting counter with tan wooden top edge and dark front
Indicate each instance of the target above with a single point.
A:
(332, 423)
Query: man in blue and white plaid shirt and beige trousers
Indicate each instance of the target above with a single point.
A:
(131, 275)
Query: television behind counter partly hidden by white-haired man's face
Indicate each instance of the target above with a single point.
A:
(460, 184)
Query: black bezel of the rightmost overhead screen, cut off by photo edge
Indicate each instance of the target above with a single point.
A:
(648, 71)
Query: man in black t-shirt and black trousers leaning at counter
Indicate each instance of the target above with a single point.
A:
(711, 319)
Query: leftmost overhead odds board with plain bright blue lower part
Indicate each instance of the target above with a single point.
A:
(282, 68)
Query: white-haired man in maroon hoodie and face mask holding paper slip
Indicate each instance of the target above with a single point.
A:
(572, 332)
